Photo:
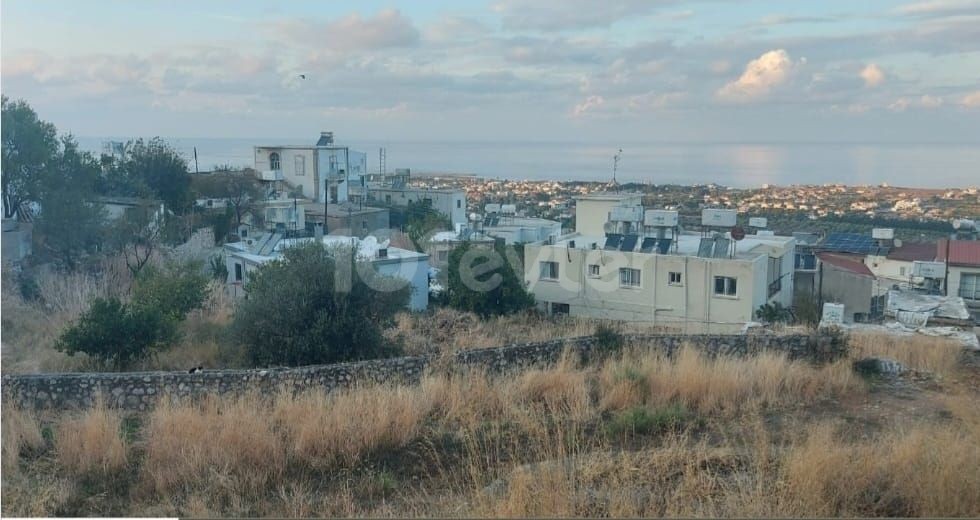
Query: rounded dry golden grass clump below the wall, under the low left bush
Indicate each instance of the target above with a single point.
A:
(91, 442)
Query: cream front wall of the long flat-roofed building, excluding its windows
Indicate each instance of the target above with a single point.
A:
(690, 305)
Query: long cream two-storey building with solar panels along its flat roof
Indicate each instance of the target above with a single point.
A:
(687, 285)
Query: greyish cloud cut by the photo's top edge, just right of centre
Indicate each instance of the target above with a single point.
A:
(561, 15)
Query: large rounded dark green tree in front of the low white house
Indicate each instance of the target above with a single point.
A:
(316, 306)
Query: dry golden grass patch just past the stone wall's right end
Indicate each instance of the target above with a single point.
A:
(937, 355)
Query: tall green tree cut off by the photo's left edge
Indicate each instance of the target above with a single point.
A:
(30, 147)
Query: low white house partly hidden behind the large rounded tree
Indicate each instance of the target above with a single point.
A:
(243, 258)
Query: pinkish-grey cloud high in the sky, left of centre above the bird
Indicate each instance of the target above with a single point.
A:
(387, 29)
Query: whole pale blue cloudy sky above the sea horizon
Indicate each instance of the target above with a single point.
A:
(638, 70)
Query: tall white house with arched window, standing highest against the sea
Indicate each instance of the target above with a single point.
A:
(308, 167)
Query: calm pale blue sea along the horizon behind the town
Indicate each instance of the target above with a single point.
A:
(730, 164)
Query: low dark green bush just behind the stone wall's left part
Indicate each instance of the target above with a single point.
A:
(118, 334)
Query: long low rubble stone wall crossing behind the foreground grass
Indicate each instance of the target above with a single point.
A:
(139, 390)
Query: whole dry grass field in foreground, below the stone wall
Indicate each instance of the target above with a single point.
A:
(636, 435)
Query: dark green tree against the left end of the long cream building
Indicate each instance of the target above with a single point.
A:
(489, 282)
